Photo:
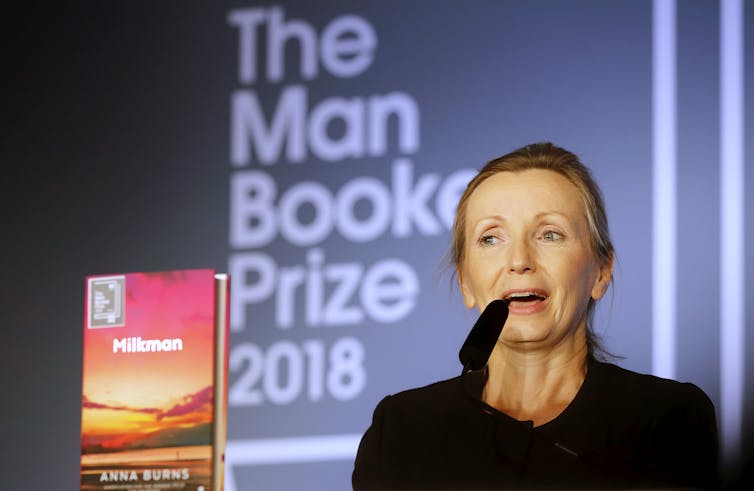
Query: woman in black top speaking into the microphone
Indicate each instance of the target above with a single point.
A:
(531, 229)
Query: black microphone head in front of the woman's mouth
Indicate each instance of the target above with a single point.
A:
(481, 340)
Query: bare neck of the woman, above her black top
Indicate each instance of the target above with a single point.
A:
(535, 385)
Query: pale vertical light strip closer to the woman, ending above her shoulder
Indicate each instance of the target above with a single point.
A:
(664, 187)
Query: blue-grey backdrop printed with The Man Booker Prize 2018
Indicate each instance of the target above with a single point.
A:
(316, 152)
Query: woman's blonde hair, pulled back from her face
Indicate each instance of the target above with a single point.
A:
(549, 157)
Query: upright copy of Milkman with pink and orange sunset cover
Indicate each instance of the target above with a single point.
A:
(154, 384)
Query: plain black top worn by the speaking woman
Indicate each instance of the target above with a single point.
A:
(622, 429)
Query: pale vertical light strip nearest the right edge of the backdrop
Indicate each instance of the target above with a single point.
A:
(731, 228)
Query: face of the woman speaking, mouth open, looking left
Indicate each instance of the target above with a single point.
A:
(527, 241)
